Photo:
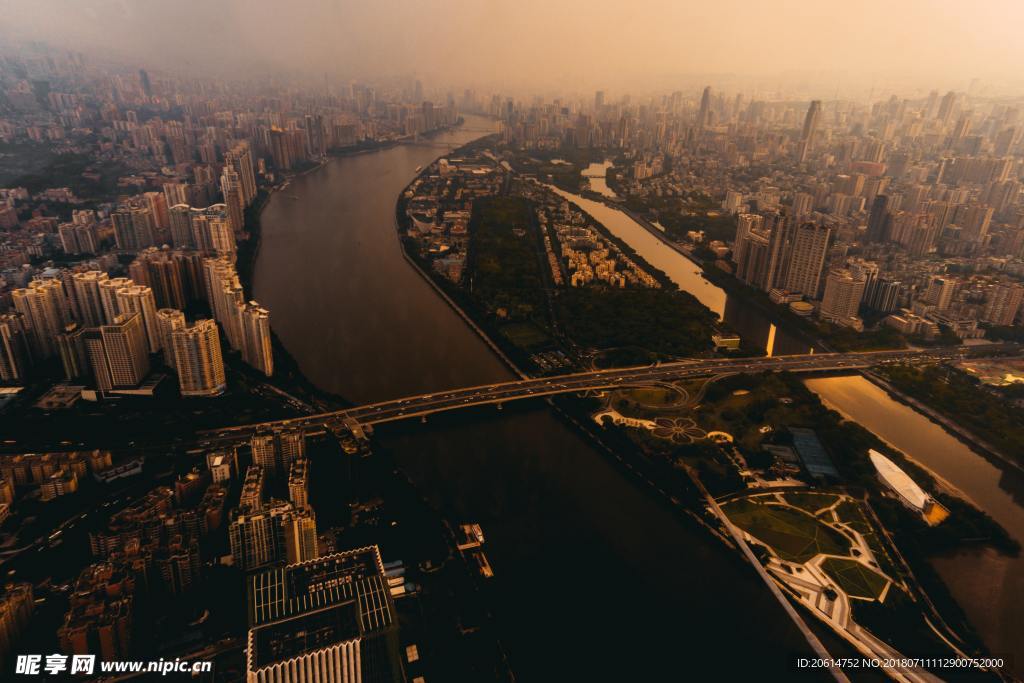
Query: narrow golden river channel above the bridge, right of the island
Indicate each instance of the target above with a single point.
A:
(743, 317)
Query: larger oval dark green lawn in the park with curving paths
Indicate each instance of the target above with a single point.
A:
(794, 535)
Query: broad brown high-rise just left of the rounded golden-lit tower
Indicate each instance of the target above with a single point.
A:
(118, 354)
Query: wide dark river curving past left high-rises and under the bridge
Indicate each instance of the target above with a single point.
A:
(595, 580)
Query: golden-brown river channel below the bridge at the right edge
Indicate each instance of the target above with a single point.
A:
(989, 586)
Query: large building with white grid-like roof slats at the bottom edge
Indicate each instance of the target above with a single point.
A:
(346, 601)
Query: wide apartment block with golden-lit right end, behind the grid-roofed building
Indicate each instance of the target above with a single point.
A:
(273, 535)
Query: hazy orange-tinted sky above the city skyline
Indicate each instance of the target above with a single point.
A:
(622, 45)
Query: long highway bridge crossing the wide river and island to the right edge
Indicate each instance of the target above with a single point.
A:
(501, 393)
